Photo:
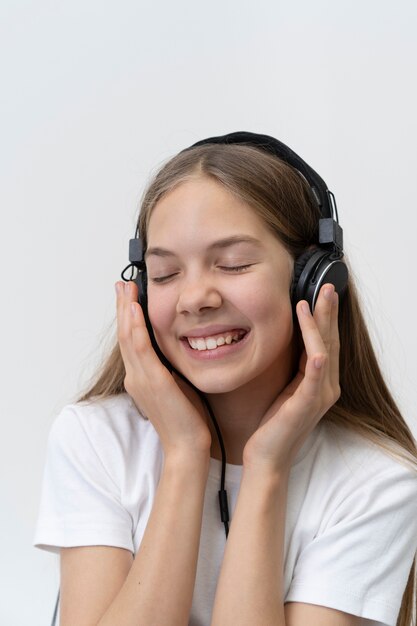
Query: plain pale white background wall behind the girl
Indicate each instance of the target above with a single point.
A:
(94, 96)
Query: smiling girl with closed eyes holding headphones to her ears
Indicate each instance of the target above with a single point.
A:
(221, 357)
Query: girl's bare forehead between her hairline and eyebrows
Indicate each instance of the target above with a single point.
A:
(201, 208)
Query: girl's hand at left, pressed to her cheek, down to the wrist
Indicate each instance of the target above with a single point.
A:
(174, 408)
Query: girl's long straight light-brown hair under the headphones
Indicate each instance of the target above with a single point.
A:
(281, 198)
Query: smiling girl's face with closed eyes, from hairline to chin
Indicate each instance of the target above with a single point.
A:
(218, 277)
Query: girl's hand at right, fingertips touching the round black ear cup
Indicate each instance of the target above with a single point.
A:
(315, 388)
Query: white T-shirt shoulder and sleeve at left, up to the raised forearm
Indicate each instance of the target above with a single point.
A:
(99, 455)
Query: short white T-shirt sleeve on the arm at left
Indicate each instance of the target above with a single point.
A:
(80, 501)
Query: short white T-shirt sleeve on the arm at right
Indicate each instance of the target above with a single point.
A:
(361, 561)
